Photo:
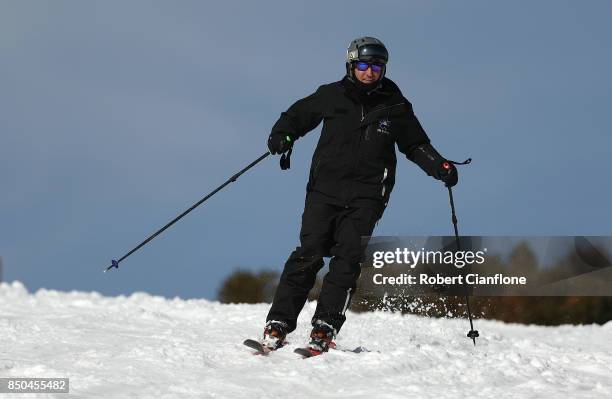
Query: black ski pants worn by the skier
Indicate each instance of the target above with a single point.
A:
(327, 230)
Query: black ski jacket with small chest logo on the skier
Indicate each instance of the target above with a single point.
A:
(354, 162)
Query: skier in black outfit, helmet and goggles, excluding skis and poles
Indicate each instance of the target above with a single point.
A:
(351, 177)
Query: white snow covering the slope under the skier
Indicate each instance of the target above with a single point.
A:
(143, 346)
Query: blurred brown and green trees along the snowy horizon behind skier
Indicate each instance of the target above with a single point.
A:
(245, 286)
